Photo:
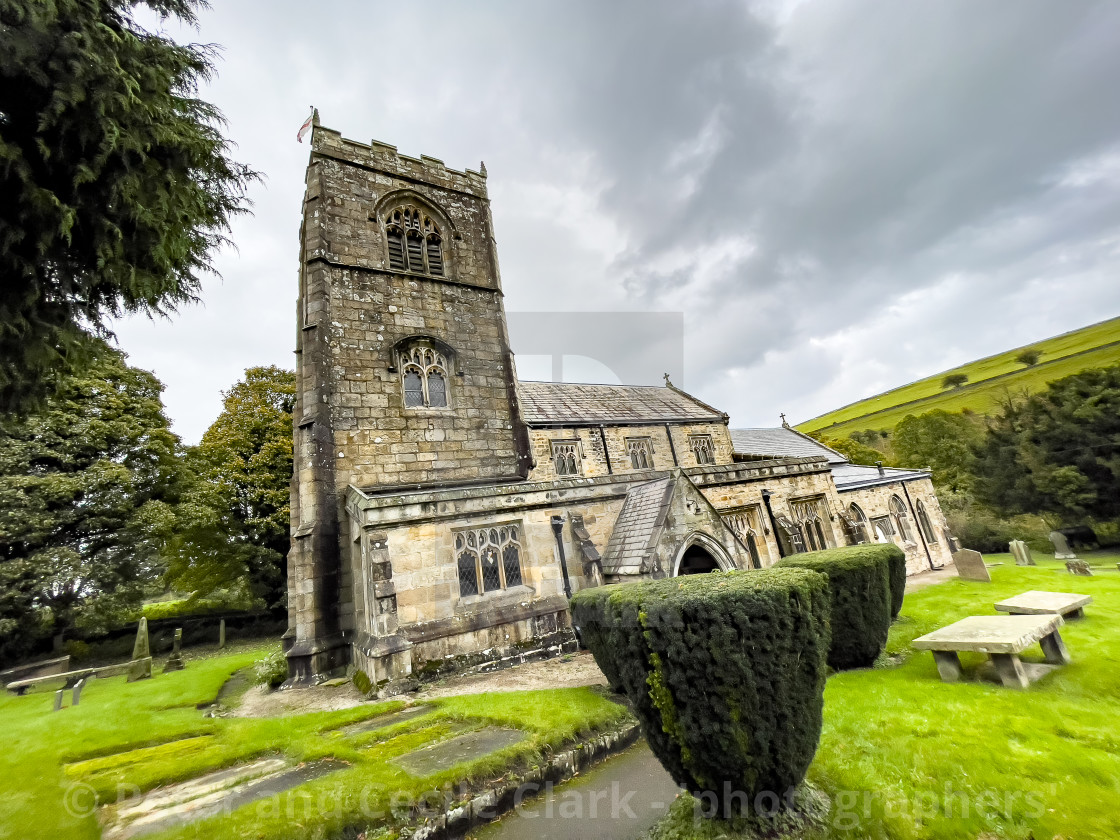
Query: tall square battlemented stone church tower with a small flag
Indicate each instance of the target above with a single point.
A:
(405, 376)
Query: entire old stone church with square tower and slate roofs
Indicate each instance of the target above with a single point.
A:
(443, 511)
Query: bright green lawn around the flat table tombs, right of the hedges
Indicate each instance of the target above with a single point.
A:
(903, 754)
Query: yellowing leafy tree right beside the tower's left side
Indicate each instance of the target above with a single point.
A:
(235, 521)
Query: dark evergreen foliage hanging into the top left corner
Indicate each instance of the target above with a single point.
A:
(116, 179)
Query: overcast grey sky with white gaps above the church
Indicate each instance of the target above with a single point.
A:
(841, 198)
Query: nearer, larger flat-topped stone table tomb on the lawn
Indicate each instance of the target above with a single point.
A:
(1003, 639)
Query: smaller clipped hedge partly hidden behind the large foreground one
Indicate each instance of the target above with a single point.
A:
(861, 585)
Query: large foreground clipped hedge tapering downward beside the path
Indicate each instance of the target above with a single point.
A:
(726, 674)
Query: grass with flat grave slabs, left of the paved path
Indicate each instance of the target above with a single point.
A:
(54, 764)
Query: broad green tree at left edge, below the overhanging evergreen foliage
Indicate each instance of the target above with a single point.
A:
(88, 488)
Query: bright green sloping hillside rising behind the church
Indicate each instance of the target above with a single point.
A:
(990, 379)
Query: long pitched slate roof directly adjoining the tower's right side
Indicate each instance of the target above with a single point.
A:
(545, 404)
